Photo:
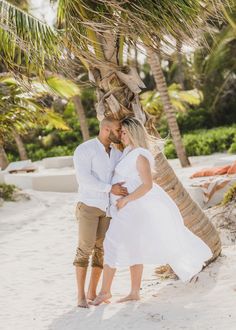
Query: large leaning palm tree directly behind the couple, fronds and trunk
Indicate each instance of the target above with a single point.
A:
(97, 33)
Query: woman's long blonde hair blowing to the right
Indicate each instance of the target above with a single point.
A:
(139, 136)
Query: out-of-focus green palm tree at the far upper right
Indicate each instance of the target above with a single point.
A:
(215, 68)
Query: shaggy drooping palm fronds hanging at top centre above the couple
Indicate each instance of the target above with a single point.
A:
(149, 20)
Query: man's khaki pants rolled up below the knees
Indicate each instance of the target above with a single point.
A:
(93, 224)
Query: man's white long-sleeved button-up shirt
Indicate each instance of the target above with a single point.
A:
(94, 169)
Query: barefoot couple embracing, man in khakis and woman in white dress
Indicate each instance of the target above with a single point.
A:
(125, 220)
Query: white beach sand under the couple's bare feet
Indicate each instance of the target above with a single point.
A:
(37, 244)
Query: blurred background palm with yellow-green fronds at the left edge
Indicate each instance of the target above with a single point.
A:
(21, 111)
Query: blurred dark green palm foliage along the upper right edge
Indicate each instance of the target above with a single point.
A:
(219, 65)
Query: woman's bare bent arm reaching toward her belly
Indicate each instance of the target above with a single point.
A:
(144, 171)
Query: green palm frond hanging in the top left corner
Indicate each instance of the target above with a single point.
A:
(26, 43)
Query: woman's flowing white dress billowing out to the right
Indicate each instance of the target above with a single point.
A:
(150, 229)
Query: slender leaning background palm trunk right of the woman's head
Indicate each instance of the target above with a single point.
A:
(159, 78)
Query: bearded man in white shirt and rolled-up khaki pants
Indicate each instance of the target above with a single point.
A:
(94, 162)
